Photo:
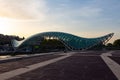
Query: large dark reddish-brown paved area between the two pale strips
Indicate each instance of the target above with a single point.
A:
(75, 67)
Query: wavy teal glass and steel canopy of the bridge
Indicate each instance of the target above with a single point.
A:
(71, 41)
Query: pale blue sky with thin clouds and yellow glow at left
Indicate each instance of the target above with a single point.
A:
(84, 18)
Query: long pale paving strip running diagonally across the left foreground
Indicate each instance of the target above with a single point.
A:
(20, 71)
